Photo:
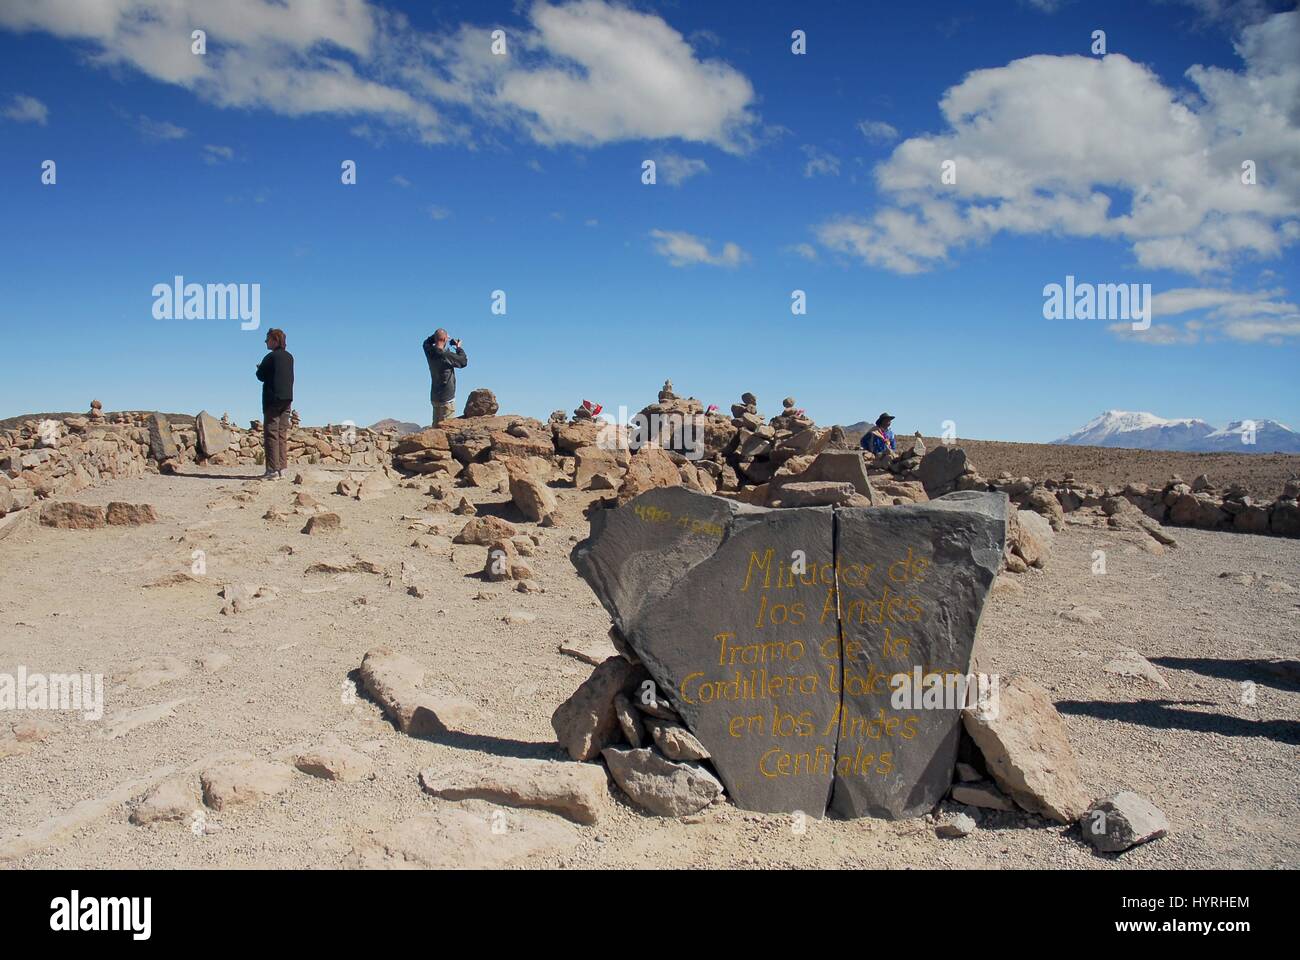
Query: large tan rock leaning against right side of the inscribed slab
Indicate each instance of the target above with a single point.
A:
(1028, 751)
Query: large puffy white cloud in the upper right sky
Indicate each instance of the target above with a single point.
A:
(1042, 144)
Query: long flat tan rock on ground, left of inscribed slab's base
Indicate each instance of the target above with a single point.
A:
(577, 792)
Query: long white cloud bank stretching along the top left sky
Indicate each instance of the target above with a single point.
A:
(587, 72)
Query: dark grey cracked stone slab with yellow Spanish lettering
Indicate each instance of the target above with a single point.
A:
(738, 613)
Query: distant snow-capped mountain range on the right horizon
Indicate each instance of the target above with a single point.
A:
(1150, 433)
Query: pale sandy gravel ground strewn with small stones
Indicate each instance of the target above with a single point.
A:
(257, 694)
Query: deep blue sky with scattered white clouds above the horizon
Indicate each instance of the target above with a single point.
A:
(777, 172)
